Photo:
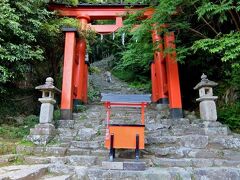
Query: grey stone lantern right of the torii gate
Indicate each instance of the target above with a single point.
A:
(207, 104)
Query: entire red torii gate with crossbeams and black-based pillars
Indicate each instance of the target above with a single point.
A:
(164, 70)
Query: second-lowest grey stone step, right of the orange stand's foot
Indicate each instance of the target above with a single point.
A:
(194, 162)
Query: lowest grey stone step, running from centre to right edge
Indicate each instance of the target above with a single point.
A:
(213, 173)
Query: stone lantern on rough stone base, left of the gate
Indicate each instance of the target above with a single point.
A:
(45, 130)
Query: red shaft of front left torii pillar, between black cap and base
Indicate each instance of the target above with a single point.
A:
(67, 85)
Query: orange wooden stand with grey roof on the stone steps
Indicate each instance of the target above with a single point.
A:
(125, 136)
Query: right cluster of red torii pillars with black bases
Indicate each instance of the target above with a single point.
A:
(165, 75)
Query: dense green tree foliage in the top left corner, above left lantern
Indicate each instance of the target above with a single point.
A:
(20, 24)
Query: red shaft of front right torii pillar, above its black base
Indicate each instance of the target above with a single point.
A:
(172, 72)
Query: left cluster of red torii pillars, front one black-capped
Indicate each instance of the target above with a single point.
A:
(75, 70)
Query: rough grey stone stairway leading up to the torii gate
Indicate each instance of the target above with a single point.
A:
(175, 148)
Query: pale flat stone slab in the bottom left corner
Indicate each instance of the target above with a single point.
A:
(30, 172)
